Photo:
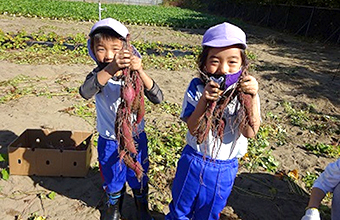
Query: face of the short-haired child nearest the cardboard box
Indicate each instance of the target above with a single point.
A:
(105, 49)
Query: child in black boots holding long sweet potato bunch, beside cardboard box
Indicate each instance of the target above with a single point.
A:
(106, 48)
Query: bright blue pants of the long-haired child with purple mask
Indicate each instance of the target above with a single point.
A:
(201, 186)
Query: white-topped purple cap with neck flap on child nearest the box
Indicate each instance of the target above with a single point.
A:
(109, 23)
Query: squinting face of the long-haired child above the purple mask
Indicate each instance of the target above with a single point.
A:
(224, 60)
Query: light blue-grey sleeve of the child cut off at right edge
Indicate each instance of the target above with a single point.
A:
(329, 178)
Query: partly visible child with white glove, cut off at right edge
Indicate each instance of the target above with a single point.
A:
(328, 181)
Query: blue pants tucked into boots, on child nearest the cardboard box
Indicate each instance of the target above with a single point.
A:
(114, 172)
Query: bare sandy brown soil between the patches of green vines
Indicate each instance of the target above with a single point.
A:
(290, 69)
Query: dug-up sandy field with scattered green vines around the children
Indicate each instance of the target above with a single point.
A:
(300, 107)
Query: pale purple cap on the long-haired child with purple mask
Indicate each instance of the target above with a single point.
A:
(224, 35)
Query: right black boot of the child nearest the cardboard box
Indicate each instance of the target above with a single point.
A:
(141, 201)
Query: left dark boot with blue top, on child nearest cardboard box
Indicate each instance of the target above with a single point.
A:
(115, 203)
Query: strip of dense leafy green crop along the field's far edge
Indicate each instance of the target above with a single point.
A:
(128, 14)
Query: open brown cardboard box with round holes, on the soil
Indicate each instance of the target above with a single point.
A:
(43, 152)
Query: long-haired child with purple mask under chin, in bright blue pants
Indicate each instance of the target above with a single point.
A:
(206, 170)
